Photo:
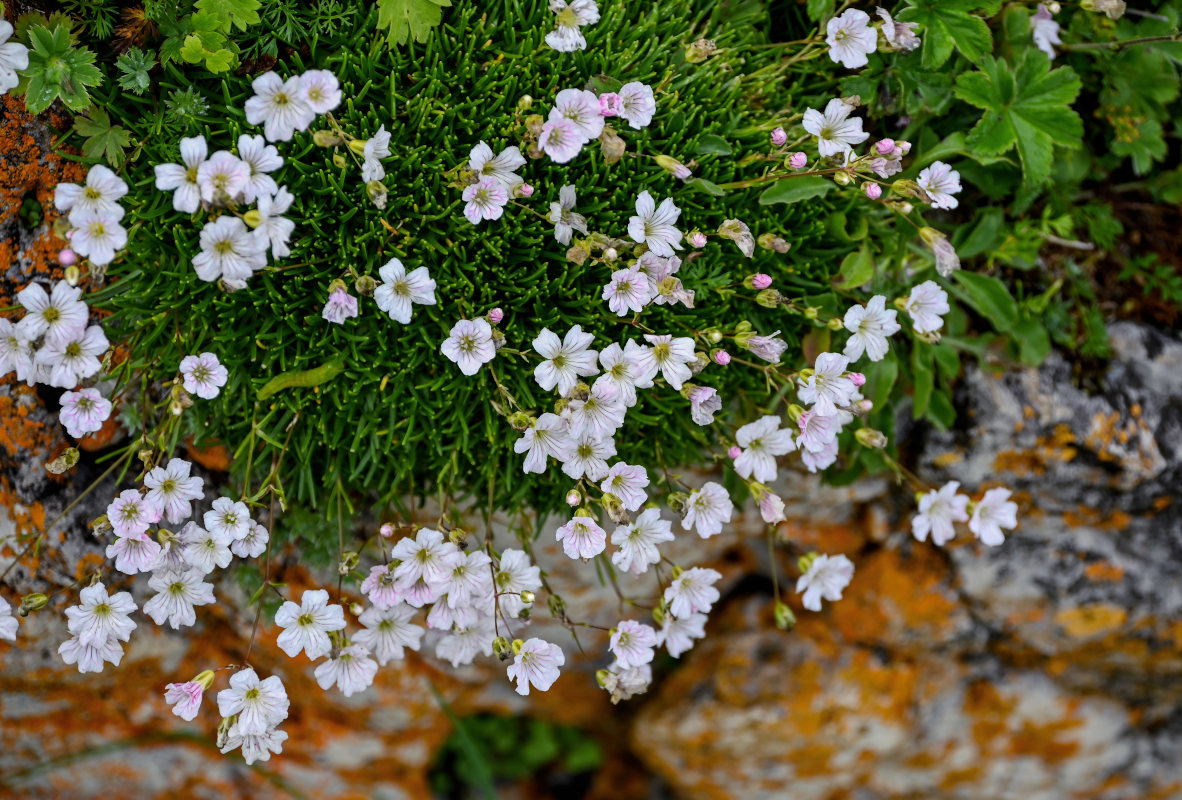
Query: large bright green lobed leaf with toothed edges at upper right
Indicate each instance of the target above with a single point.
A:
(1028, 108)
